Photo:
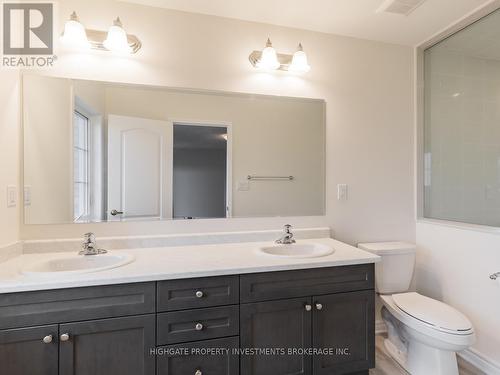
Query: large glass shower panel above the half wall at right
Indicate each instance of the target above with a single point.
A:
(462, 125)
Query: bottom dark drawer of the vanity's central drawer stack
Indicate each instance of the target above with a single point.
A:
(190, 360)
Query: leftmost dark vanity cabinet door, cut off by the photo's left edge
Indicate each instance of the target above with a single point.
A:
(29, 351)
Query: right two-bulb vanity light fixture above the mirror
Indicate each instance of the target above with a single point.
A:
(268, 59)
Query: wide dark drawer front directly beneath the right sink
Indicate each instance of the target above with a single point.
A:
(308, 282)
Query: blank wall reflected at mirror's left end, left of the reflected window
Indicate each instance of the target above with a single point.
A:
(48, 151)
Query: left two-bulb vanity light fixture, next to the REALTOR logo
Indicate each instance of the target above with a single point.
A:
(116, 39)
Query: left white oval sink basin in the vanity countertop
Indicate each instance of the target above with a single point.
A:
(78, 264)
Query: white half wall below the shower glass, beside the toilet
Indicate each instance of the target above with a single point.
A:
(453, 265)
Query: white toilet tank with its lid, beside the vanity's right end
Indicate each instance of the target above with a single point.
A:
(393, 274)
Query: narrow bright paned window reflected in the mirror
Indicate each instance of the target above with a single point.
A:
(81, 185)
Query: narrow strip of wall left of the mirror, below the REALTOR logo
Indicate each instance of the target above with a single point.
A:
(9, 151)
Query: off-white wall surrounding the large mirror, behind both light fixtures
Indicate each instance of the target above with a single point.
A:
(367, 86)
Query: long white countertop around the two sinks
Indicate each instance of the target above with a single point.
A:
(179, 262)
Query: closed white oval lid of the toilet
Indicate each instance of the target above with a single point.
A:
(433, 312)
